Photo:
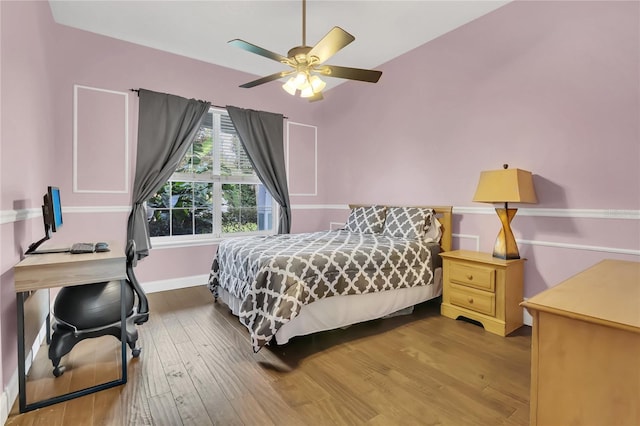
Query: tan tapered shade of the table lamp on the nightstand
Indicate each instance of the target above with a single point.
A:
(505, 186)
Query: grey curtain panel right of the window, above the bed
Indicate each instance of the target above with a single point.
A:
(261, 133)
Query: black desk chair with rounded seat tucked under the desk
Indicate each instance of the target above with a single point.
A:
(93, 310)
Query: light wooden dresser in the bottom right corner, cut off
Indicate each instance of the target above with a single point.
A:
(585, 360)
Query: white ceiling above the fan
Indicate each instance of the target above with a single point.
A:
(201, 29)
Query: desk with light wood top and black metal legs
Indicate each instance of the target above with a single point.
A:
(39, 272)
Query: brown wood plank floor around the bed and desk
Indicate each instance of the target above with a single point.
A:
(197, 368)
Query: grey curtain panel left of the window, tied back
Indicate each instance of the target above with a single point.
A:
(167, 125)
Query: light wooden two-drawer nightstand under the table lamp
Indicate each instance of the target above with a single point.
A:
(483, 288)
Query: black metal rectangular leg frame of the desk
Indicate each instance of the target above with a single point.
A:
(22, 381)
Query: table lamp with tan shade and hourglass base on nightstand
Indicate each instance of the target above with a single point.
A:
(505, 186)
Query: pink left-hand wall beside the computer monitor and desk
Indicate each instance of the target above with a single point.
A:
(27, 126)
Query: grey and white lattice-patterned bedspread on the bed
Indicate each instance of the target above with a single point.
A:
(274, 276)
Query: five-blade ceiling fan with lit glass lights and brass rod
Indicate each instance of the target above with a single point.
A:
(307, 63)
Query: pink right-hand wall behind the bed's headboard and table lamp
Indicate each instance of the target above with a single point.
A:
(550, 87)
